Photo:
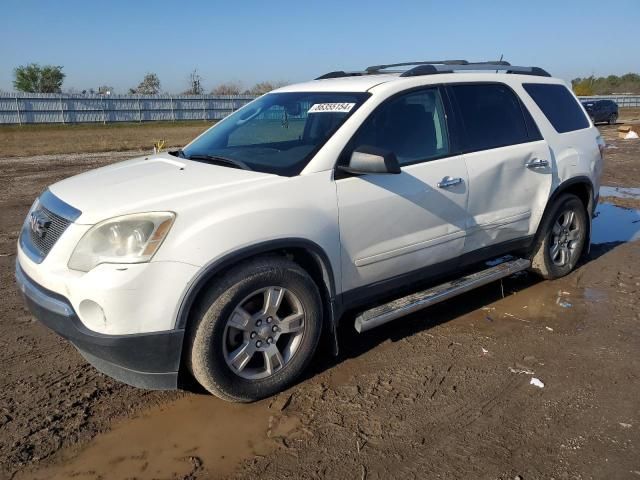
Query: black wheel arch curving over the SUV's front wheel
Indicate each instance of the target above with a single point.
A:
(306, 253)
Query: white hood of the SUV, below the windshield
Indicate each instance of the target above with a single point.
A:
(159, 182)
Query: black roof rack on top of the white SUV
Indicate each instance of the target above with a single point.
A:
(440, 66)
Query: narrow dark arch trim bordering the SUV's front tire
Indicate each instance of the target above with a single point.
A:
(331, 303)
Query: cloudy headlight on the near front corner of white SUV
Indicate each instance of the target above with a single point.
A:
(128, 239)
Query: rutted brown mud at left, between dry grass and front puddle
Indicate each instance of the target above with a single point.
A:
(50, 398)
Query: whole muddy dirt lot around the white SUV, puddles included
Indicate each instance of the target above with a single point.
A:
(444, 393)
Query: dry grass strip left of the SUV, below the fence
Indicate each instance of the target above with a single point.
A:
(26, 140)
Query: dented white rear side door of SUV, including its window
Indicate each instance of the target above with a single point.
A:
(508, 161)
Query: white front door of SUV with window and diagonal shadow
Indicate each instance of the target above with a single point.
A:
(394, 224)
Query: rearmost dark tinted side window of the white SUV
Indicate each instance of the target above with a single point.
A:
(558, 105)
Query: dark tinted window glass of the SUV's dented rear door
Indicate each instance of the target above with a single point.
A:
(492, 116)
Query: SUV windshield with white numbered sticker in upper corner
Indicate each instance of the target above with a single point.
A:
(277, 133)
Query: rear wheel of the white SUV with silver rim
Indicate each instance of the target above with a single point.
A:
(561, 238)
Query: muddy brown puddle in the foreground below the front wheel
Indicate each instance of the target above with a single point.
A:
(196, 435)
